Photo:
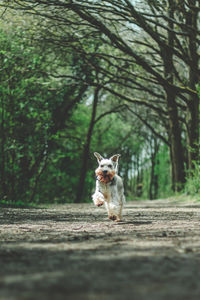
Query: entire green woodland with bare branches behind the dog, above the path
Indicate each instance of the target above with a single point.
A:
(116, 76)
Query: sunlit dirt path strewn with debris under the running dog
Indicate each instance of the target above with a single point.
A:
(74, 252)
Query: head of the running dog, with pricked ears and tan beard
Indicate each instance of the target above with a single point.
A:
(107, 167)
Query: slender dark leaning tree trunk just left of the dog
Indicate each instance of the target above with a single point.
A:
(86, 150)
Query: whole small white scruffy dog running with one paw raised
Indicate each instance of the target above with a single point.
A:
(109, 187)
